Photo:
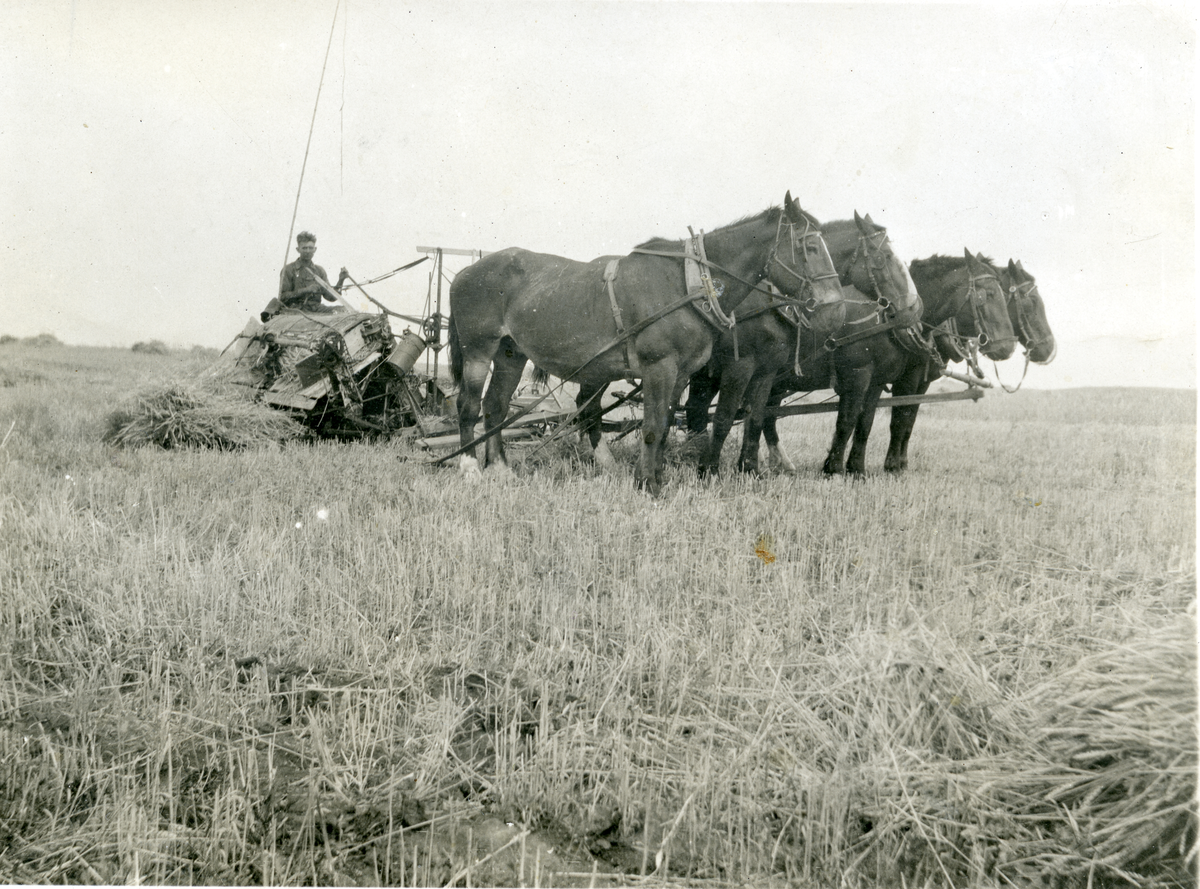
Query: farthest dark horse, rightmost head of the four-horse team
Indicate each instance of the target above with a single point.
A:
(1027, 313)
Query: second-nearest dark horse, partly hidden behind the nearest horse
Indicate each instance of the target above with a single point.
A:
(771, 340)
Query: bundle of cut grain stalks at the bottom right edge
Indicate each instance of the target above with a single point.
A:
(1121, 730)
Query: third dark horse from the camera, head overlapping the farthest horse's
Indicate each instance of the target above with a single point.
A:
(968, 291)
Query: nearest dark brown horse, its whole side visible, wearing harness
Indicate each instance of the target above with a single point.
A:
(515, 305)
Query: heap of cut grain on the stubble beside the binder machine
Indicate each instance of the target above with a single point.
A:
(181, 416)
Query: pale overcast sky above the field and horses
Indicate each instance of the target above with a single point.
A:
(153, 151)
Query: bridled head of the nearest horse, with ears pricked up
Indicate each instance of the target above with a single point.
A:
(801, 267)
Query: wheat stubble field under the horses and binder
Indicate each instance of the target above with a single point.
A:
(328, 664)
